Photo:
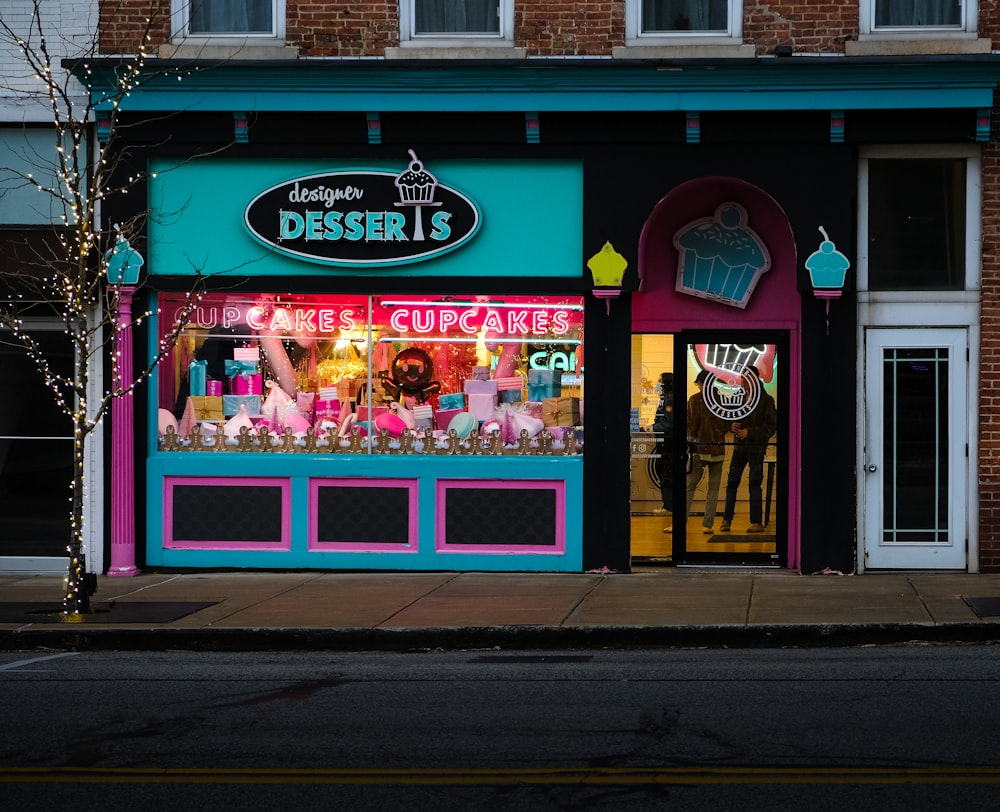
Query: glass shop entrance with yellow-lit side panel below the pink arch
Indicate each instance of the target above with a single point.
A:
(708, 438)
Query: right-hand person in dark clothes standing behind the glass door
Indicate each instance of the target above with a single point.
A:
(750, 439)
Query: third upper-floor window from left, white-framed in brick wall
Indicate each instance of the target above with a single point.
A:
(670, 21)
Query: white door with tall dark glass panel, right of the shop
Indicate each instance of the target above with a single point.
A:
(915, 455)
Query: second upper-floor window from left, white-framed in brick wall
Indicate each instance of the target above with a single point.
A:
(456, 22)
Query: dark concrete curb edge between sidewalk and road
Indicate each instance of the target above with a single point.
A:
(76, 638)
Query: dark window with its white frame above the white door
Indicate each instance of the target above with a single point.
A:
(919, 219)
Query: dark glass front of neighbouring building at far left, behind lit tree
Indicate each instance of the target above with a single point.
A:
(36, 452)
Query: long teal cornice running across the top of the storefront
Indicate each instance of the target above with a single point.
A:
(576, 85)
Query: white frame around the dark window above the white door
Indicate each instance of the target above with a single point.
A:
(973, 218)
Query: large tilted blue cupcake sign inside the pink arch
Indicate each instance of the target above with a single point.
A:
(721, 258)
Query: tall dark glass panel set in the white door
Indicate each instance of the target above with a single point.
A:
(915, 444)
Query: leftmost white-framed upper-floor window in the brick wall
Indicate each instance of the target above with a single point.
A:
(226, 19)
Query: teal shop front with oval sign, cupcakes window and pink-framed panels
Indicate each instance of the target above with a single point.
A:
(467, 454)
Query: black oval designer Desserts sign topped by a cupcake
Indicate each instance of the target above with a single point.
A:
(363, 217)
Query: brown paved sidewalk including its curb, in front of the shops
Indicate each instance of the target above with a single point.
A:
(416, 611)
